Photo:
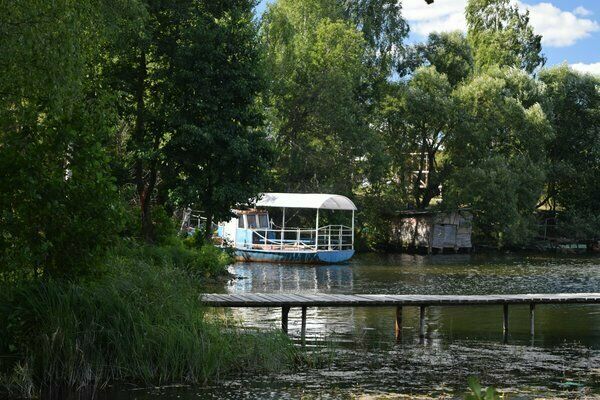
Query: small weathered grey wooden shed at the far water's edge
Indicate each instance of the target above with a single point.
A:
(433, 230)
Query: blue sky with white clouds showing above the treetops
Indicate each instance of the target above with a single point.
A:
(570, 29)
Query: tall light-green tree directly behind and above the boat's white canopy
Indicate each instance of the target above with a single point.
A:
(318, 97)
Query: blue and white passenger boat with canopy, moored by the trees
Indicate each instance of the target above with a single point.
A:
(254, 237)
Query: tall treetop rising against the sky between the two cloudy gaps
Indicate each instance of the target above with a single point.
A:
(500, 34)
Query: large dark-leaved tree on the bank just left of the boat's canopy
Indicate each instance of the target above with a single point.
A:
(187, 72)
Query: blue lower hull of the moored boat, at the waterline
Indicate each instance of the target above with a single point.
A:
(298, 257)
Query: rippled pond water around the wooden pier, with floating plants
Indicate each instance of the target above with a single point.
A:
(561, 361)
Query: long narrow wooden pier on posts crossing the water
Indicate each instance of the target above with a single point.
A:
(287, 301)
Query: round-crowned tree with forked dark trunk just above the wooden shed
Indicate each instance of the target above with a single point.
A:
(417, 118)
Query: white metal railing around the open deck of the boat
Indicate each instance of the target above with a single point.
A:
(329, 237)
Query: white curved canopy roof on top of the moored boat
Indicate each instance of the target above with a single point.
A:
(306, 200)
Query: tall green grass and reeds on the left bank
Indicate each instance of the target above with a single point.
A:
(139, 320)
